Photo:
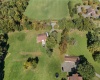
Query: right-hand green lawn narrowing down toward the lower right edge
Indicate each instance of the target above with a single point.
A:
(80, 48)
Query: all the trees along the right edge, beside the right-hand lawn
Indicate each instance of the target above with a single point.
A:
(93, 43)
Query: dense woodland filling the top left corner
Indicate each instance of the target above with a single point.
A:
(12, 17)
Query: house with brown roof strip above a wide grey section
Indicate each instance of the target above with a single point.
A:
(70, 63)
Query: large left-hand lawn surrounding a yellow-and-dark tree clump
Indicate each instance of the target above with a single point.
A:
(23, 45)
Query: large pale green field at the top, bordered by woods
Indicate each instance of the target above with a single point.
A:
(48, 9)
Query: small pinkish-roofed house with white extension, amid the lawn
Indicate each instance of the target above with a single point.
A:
(42, 38)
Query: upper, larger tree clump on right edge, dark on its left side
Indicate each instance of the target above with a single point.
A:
(93, 40)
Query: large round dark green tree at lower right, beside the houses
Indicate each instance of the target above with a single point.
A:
(86, 70)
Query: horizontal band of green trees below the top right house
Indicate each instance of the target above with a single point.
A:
(82, 24)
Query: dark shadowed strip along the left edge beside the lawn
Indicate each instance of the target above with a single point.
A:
(3, 52)
